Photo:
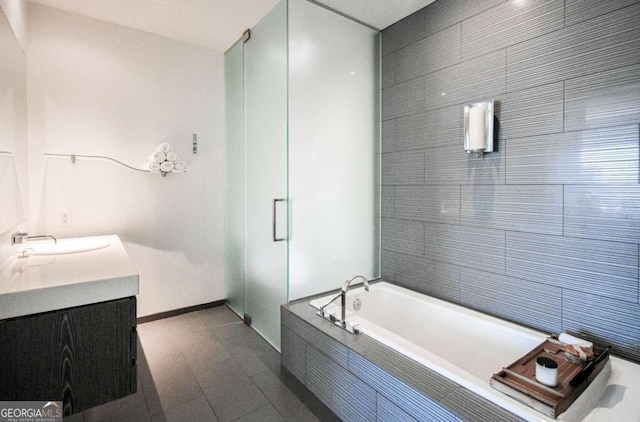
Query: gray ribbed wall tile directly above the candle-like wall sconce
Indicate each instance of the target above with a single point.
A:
(476, 79)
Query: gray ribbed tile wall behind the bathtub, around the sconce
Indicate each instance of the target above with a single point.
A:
(545, 231)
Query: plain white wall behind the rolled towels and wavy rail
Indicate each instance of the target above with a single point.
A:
(101, 89)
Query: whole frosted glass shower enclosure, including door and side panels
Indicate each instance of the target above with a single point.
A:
(302, 159)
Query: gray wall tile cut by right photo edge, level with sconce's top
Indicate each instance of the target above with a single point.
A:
(603, 99)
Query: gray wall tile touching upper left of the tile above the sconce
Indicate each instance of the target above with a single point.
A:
(428, 55)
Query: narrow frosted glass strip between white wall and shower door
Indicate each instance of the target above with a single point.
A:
(234, 176)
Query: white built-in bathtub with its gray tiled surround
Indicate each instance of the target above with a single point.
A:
(360, 378)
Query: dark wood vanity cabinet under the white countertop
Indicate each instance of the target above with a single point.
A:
(83, 356)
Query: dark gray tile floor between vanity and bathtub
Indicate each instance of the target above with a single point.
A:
(209, 366)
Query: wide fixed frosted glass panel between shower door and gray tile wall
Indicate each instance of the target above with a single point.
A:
(333, 149)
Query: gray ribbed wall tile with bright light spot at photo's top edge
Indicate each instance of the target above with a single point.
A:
(510, 23)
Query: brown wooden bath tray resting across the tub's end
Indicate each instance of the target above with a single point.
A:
(518, 380)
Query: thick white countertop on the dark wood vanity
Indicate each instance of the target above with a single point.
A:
(41, 283)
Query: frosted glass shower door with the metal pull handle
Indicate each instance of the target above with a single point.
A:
(266, 171)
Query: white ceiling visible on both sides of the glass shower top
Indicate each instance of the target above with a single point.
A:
(217, 24)
